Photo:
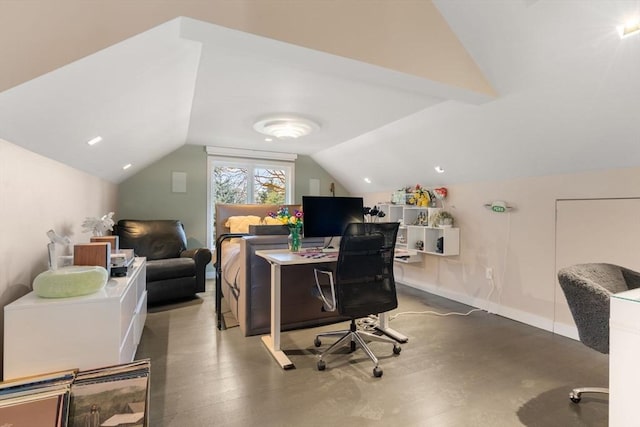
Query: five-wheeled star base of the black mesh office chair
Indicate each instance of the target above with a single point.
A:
(355, 338)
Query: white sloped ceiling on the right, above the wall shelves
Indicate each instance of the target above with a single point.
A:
(568, 102)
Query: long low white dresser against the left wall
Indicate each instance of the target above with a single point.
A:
(50, 334)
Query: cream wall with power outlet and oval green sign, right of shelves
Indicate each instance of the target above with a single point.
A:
(520, 246)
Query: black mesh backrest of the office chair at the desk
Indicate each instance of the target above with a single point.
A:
(364, 280)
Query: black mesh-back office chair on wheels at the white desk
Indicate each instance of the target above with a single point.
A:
(362, 284)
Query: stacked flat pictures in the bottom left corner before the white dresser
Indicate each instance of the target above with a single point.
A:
(110, 396)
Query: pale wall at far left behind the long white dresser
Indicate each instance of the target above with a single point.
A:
(38, 194)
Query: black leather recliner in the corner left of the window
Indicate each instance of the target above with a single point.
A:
(173, 272)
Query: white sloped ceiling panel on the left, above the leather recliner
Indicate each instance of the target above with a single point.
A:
(136, 95)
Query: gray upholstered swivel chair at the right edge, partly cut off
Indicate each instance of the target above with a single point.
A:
(588, 289)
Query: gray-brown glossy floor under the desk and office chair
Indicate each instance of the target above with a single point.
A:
(478, 370)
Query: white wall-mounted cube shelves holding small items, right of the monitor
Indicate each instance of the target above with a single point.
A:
(435, 240)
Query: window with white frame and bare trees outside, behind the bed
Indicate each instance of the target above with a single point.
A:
(236, 179)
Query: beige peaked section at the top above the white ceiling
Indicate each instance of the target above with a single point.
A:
(411, 37)
